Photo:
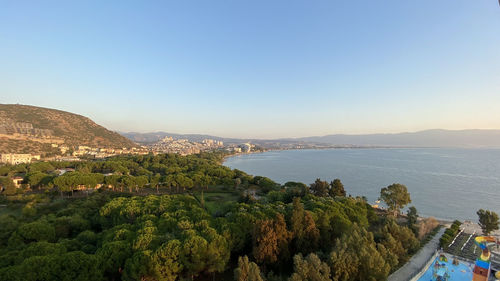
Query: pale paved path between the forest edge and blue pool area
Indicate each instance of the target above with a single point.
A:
(415, 264)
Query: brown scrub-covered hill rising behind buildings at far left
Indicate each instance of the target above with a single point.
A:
(25, 129)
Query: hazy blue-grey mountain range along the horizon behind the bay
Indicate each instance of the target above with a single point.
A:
(428, 138)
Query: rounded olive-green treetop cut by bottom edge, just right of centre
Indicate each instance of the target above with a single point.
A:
(309, 269)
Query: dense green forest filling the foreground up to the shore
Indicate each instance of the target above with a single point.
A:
(170, 217)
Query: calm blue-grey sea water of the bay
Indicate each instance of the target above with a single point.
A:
(444, 183)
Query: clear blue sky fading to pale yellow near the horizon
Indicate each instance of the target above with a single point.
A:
(260, 69)
